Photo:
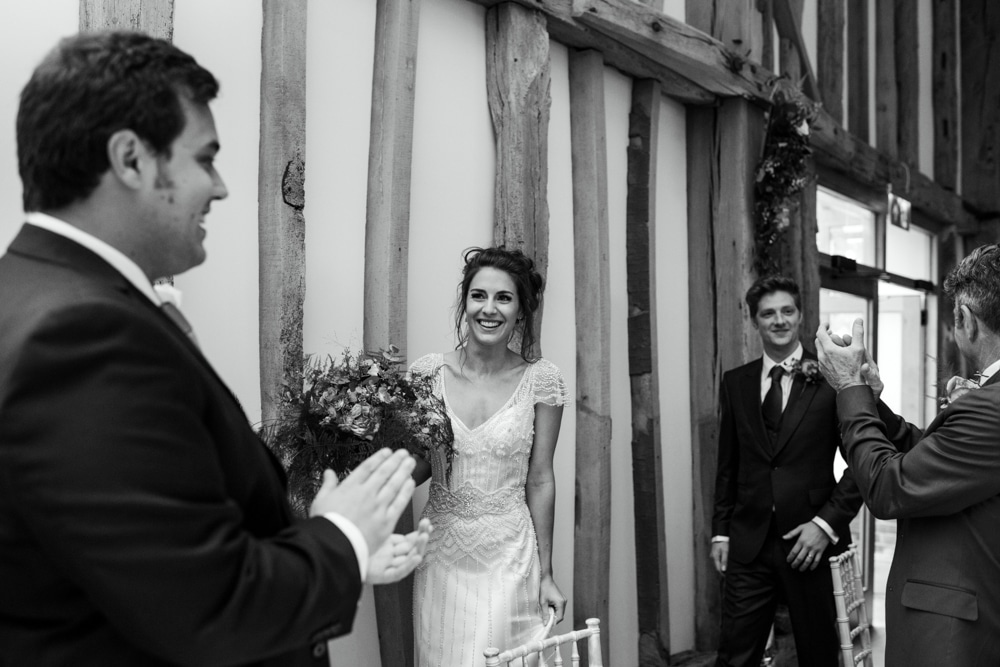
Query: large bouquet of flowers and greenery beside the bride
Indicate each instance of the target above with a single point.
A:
(347, 409)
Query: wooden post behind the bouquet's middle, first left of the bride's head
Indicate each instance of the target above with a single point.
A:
(387, 238)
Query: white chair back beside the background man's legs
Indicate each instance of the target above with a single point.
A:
(852, 614)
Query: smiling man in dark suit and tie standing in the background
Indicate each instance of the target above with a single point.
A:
(779, 512)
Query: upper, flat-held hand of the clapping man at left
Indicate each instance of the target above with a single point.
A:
(372, 497)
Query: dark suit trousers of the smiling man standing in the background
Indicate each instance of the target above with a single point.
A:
(751, 593)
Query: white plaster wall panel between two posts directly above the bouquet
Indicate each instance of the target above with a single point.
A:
(339, 62)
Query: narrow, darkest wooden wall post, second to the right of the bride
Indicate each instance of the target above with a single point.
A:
(647, 461)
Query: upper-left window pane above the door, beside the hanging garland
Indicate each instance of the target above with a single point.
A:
(845, 227)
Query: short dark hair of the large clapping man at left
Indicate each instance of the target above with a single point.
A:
(87, 88)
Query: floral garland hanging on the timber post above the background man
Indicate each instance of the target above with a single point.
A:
(781, 173)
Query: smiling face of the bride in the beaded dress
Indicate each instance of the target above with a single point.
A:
(491, 307)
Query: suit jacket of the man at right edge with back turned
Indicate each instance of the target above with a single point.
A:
(942, 486)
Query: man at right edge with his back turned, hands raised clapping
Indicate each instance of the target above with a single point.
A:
(942, 485)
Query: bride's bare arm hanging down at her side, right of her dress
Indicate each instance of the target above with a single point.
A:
(540, 492)
